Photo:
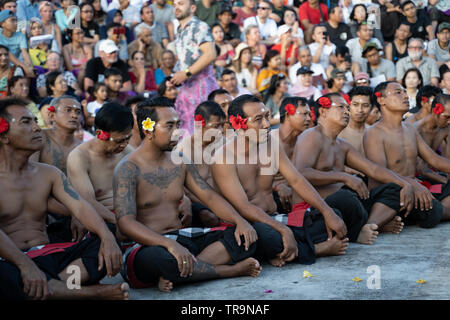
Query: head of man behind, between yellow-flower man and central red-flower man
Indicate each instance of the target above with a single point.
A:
(212, 117)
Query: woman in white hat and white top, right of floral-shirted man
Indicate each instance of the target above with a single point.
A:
(246, 73)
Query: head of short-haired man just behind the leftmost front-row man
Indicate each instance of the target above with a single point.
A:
(67, 113)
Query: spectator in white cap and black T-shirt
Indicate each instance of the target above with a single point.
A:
(96, 67)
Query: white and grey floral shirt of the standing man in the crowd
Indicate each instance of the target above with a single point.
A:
(188, 42)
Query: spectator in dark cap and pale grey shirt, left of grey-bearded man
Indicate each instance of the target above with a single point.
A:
(375, 66)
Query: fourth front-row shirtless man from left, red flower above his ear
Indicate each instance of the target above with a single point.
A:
(320, 156)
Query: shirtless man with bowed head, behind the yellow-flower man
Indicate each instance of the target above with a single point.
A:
(90, 166)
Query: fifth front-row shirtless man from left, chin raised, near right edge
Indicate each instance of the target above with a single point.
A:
(396, 145)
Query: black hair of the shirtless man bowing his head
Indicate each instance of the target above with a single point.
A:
(113, 117)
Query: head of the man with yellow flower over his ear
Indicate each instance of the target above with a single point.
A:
(158, 122)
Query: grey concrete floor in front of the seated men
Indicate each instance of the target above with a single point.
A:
(402, 260)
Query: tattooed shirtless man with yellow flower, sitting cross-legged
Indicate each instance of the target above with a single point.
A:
(147, 187)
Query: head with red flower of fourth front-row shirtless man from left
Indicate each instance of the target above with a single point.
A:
(333, 110)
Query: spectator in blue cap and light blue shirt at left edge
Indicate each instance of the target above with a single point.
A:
(15, 41)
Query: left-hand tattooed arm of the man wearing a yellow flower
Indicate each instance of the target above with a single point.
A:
(125, 182)
